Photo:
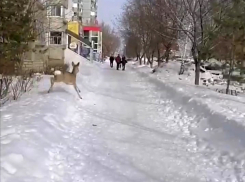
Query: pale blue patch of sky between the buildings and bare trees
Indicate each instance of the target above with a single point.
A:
(109, 10)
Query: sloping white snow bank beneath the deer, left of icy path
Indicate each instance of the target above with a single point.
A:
(32, 129)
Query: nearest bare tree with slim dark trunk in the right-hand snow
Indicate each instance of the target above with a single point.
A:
(195, 19)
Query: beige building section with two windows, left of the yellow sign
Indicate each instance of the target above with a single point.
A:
(49, 47)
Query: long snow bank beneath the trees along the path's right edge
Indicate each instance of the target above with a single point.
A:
(233, 108)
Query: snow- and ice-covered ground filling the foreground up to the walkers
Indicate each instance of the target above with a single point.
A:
(128, 128)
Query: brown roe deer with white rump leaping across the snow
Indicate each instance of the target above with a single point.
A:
(67, 78)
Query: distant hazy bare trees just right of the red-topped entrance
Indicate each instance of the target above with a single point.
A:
(110, 41)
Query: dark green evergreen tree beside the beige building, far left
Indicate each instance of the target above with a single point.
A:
(16, 28)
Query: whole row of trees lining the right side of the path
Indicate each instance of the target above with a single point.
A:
(215, 29)
